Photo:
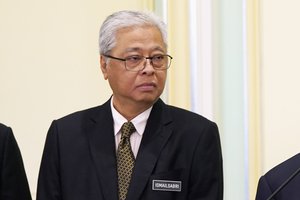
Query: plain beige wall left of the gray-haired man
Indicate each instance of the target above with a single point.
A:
(49, 66)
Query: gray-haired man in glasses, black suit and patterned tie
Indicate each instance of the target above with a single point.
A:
(172, 154)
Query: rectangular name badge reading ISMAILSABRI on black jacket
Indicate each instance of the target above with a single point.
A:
(166, 185)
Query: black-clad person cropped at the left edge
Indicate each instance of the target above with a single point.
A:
(13, 180)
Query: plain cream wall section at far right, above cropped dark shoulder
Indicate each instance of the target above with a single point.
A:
(280, 69)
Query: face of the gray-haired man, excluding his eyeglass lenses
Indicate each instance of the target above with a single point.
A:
(136, 88)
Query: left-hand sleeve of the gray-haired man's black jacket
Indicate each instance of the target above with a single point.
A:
(49, 175)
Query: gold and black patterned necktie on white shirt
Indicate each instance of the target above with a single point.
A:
(125, 160)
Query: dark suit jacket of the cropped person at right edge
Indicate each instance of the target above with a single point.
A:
(278, 175)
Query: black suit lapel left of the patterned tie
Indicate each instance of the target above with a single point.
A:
(102, 147)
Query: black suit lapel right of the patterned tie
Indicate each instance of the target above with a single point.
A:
(157, 133)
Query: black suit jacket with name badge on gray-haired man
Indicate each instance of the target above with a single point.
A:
(79, 159)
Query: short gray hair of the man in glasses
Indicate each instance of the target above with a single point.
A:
(125, 19)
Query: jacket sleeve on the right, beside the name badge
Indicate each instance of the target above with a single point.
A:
(206, 178)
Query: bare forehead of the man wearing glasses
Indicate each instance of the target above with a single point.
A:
(140, 37)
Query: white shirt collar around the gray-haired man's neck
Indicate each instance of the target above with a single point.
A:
(139, 121)
